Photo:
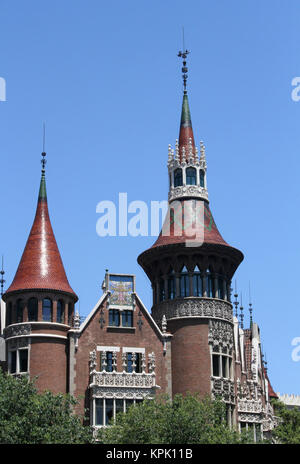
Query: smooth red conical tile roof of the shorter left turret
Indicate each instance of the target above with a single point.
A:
(41, 266)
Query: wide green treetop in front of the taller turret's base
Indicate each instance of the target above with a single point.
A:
(185, 420)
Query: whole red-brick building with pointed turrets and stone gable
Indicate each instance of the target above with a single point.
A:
(191, 342)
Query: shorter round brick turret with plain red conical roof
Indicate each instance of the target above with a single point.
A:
(40, 306)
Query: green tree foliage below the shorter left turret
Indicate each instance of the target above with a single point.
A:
(28, 417)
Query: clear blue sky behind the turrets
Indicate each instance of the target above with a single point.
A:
(105, 78)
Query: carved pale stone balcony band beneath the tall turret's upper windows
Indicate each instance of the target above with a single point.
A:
(193, 307)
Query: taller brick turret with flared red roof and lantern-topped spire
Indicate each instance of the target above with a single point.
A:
(190, 267)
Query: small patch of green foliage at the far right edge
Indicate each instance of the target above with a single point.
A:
(288, 428)
